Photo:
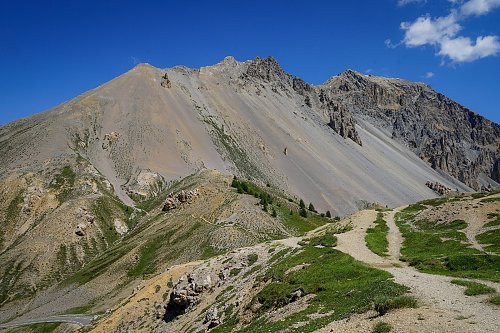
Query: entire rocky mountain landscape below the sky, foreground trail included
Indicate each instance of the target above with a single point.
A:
(239, 198)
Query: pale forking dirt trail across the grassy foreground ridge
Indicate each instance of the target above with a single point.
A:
(444, 307)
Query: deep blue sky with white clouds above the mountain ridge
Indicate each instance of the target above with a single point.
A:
(52, 51)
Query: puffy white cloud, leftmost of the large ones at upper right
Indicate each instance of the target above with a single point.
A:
(425, 30)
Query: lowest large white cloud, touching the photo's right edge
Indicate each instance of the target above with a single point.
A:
(463, 49)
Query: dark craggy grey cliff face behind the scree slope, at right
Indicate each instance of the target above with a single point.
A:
(440, 131)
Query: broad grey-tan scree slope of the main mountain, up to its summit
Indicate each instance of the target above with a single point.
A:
(237, 117)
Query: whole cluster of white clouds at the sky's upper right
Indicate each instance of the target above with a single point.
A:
(443, 32)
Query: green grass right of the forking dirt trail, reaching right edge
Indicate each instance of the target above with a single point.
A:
(441, 248)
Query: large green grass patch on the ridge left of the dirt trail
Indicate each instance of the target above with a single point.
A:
(339, 282)
